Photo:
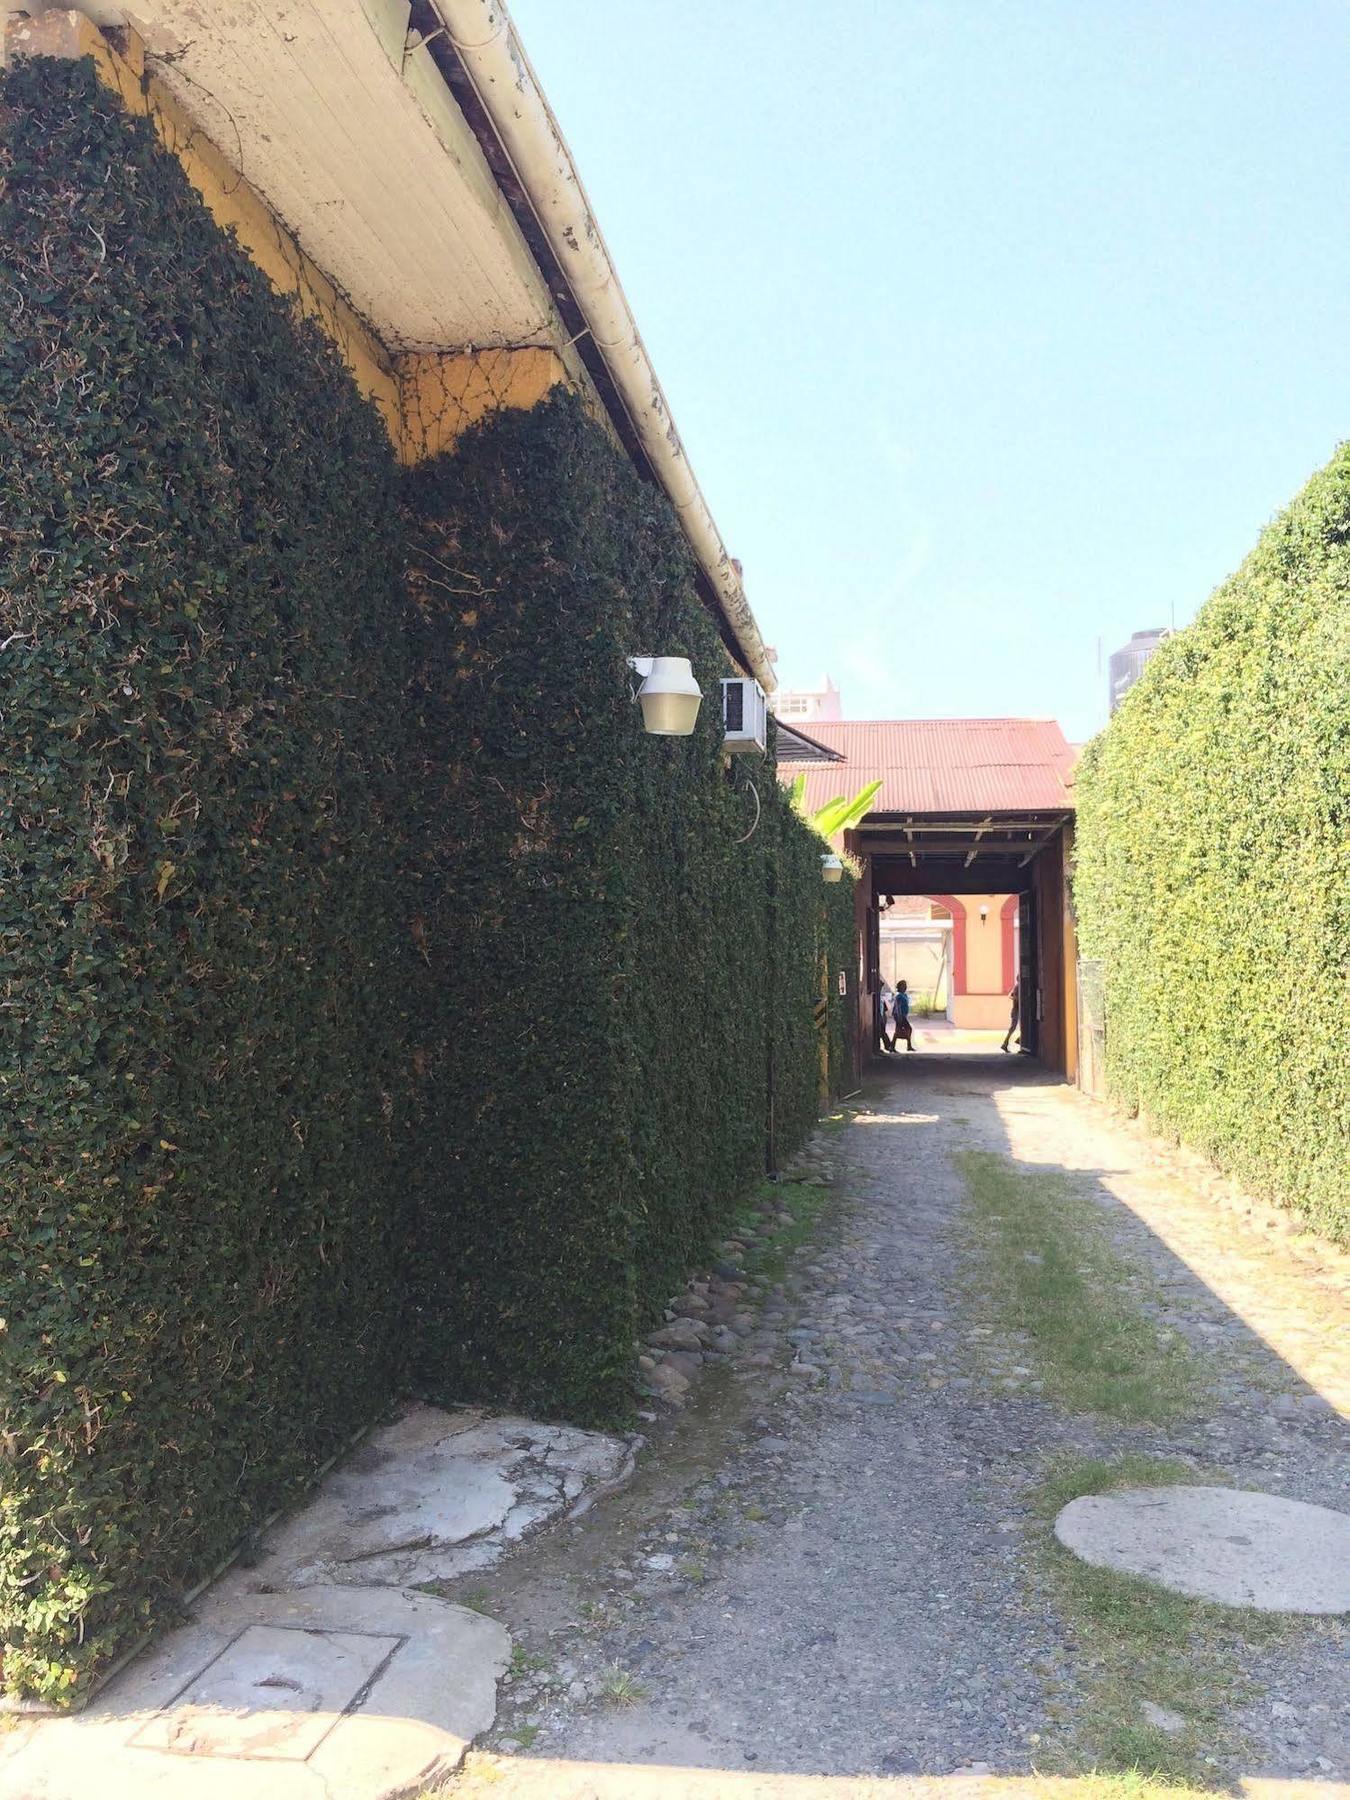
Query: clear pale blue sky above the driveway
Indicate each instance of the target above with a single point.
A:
(991, 328)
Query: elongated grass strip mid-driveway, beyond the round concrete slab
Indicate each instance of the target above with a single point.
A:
(1052, 1273)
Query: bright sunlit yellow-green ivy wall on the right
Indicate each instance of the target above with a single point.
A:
(1214, 876)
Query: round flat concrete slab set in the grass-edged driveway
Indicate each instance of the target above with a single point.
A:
(1216, 1543)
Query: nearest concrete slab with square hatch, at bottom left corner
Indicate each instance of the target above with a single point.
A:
(318, 1695)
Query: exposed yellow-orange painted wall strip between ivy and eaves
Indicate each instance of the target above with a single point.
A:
(426, 400)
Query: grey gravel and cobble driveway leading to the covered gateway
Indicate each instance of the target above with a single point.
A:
(829, 1565)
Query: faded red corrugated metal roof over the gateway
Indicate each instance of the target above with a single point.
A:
(946, 764)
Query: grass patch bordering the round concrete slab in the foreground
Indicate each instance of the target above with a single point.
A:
(1140, 1642)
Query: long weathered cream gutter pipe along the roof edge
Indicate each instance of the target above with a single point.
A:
(512, 103)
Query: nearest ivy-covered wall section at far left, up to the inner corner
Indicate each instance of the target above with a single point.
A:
(202, 1048)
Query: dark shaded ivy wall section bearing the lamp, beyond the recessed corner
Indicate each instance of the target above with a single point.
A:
(613, 939)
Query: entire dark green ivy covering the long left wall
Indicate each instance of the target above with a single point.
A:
(381, 1009)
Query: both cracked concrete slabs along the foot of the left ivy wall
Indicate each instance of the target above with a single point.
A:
(318, 1673)
